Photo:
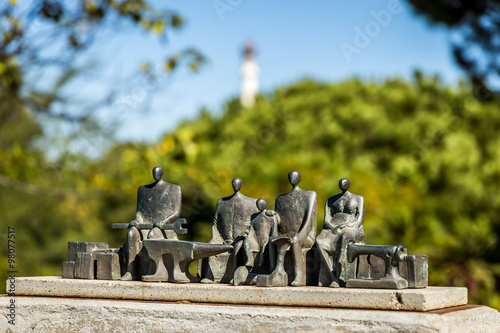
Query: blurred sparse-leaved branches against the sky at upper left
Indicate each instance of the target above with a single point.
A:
(44, 46)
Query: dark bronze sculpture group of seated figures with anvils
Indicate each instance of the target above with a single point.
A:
(250, 244)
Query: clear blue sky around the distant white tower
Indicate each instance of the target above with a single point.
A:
(294, 39)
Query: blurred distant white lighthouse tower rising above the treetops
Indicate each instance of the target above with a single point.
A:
(249, 78)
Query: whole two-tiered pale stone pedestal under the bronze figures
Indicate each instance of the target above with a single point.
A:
(53, 304)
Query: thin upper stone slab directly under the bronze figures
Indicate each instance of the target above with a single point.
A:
(427, 299)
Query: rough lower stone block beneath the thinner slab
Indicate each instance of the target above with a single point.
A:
(52, 314)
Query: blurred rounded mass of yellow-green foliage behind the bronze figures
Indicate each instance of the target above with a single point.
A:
(424, 155)
